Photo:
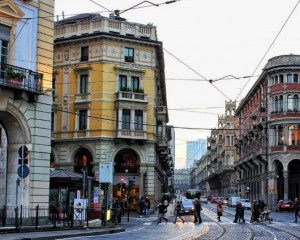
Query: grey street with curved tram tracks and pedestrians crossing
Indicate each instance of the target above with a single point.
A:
(282, 228)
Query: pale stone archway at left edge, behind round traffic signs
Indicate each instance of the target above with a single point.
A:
(14, 135)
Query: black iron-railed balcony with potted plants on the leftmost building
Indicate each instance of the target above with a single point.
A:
(21, 79)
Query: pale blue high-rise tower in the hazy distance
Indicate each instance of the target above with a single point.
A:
(194, 151)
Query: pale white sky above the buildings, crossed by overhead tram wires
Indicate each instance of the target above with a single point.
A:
(215, 38)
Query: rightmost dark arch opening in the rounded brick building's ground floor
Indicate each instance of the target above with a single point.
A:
(294, 179)
